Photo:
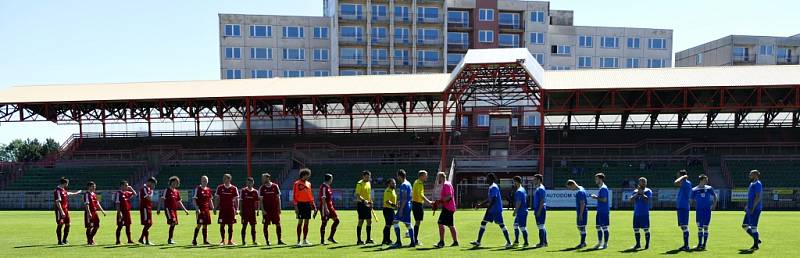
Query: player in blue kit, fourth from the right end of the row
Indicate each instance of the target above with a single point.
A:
(641, 213)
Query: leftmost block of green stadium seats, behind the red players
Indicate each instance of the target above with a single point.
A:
(106, 177)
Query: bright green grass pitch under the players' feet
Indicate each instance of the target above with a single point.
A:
(31, 234)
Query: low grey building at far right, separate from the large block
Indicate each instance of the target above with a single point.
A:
(742, 50)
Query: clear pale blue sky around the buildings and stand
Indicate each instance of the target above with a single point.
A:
(63, 41)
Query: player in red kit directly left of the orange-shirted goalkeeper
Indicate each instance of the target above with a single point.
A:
(270, 195)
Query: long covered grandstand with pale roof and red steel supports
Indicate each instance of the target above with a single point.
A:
(499, 111)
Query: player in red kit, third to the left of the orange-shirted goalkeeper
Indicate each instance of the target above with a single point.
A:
(227, 197)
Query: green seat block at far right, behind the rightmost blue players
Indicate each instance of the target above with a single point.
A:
(774, 173)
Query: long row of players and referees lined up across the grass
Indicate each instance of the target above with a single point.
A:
(401, 200)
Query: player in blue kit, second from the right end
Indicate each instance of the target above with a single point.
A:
(704, 201)
